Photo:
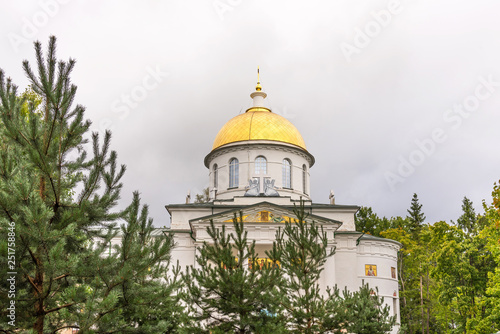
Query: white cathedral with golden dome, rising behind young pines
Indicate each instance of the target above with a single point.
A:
(259, 165)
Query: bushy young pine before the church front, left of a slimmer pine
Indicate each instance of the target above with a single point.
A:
(228, 291)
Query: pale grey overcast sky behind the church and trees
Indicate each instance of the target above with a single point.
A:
(392, 97)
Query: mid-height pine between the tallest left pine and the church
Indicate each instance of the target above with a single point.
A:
(131, 289)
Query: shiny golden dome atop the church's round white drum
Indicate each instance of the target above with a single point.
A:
(259, 123)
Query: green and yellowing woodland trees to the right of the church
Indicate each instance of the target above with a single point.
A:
(446, 272)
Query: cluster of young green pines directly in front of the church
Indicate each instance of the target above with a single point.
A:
(228, 295)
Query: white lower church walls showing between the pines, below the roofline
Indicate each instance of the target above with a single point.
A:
(345, 269)
